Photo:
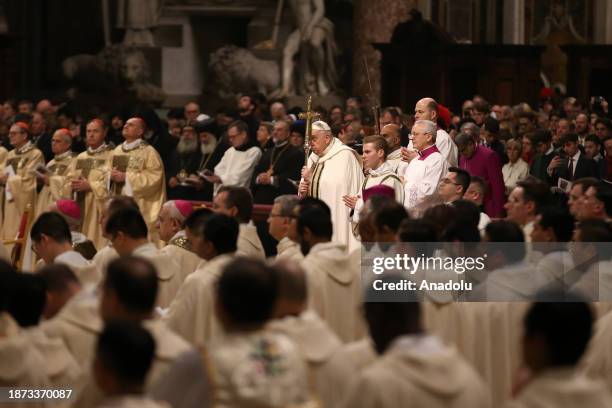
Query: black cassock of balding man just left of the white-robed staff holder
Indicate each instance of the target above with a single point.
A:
(287, 162)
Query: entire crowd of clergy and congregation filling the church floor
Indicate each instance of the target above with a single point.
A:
(154, 282)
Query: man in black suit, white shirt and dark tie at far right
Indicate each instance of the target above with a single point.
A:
(574, 165)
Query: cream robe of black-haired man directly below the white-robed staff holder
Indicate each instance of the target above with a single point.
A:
(334, 289)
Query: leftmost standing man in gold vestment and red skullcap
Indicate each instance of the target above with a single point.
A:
(18, 179)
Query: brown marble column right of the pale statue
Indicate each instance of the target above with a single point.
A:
(374, 21)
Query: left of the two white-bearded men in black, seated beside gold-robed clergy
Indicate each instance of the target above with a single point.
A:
(184, 162)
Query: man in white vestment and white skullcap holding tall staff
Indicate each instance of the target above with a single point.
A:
(333, 171)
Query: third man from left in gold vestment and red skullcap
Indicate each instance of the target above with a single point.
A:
(89, 176)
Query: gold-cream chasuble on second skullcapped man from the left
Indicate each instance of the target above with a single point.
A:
(57, 172)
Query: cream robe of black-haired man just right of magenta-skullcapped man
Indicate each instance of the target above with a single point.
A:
(192, 312)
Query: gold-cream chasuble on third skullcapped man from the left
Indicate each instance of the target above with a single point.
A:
(93, 165)
